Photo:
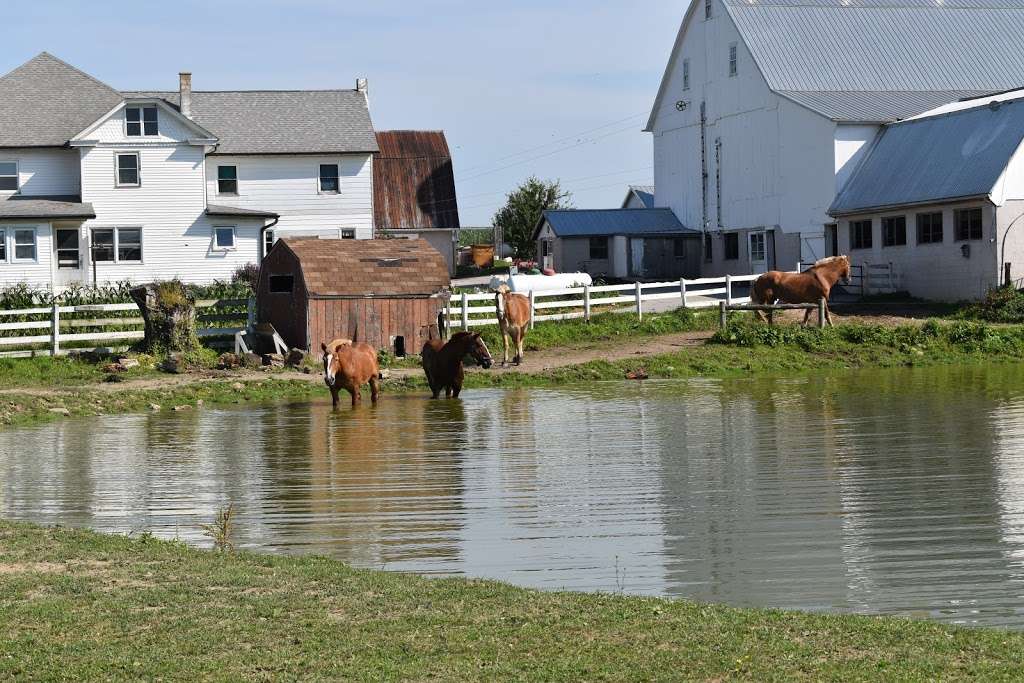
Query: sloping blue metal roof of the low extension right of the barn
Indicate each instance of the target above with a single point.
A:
(934, 159)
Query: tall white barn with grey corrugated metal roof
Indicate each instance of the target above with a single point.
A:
(767, 107)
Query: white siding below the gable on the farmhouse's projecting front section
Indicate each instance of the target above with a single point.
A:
(169, 206)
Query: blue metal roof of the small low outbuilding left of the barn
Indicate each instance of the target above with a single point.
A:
(596, 223)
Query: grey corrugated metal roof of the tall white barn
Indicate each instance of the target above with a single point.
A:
(877, 61)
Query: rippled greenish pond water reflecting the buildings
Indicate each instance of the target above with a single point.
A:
(884, 492)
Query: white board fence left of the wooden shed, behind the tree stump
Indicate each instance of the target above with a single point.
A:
(51, 328)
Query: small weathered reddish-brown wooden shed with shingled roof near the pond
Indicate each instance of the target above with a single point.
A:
(388, 293)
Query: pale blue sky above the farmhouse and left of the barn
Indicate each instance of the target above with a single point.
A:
(561, 90)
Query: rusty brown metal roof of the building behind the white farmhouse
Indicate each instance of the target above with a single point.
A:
(414, 183)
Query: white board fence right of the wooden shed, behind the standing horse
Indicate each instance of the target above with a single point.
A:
(468, 311)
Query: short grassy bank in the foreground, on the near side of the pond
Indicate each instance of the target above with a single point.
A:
(77, 606)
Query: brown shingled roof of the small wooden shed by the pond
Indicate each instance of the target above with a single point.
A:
(369, 268)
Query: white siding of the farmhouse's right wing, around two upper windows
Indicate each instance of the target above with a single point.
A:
(289, 186)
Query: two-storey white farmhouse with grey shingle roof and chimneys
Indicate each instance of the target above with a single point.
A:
(102, 186)
